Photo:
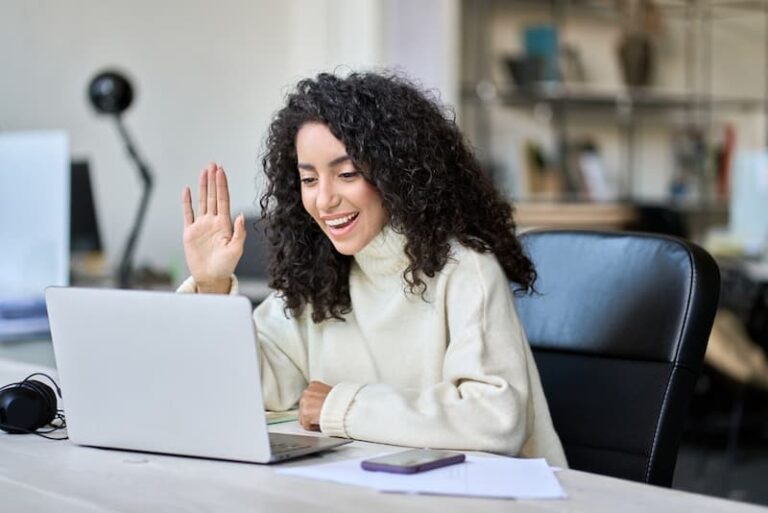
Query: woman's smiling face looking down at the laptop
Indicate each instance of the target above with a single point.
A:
(337, 196)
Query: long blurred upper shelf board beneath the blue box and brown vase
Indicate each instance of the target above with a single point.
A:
(622, 101)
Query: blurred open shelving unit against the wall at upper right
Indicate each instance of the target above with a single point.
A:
(693, 103)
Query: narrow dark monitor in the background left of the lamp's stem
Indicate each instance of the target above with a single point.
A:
(83, 227)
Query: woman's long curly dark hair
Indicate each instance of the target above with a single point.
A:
(406, 144)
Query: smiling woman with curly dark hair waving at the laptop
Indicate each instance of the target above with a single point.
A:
(392, 319)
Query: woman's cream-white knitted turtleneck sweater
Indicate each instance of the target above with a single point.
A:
(452, 370)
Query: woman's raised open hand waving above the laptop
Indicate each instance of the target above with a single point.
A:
(212, 245)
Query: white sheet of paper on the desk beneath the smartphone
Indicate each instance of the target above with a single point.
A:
(492, 476)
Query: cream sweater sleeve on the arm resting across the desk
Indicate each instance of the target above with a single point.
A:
(484, 399)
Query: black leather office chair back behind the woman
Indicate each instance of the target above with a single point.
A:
(618, 330)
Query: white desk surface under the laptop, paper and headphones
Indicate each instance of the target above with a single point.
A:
(38, 475)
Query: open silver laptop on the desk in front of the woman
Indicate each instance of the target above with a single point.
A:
(167, 373)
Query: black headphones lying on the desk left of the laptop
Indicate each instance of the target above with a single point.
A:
(29, 405)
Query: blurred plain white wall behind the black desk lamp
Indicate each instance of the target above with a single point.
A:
(209, 75)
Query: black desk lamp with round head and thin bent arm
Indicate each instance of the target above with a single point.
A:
(111, 93)
